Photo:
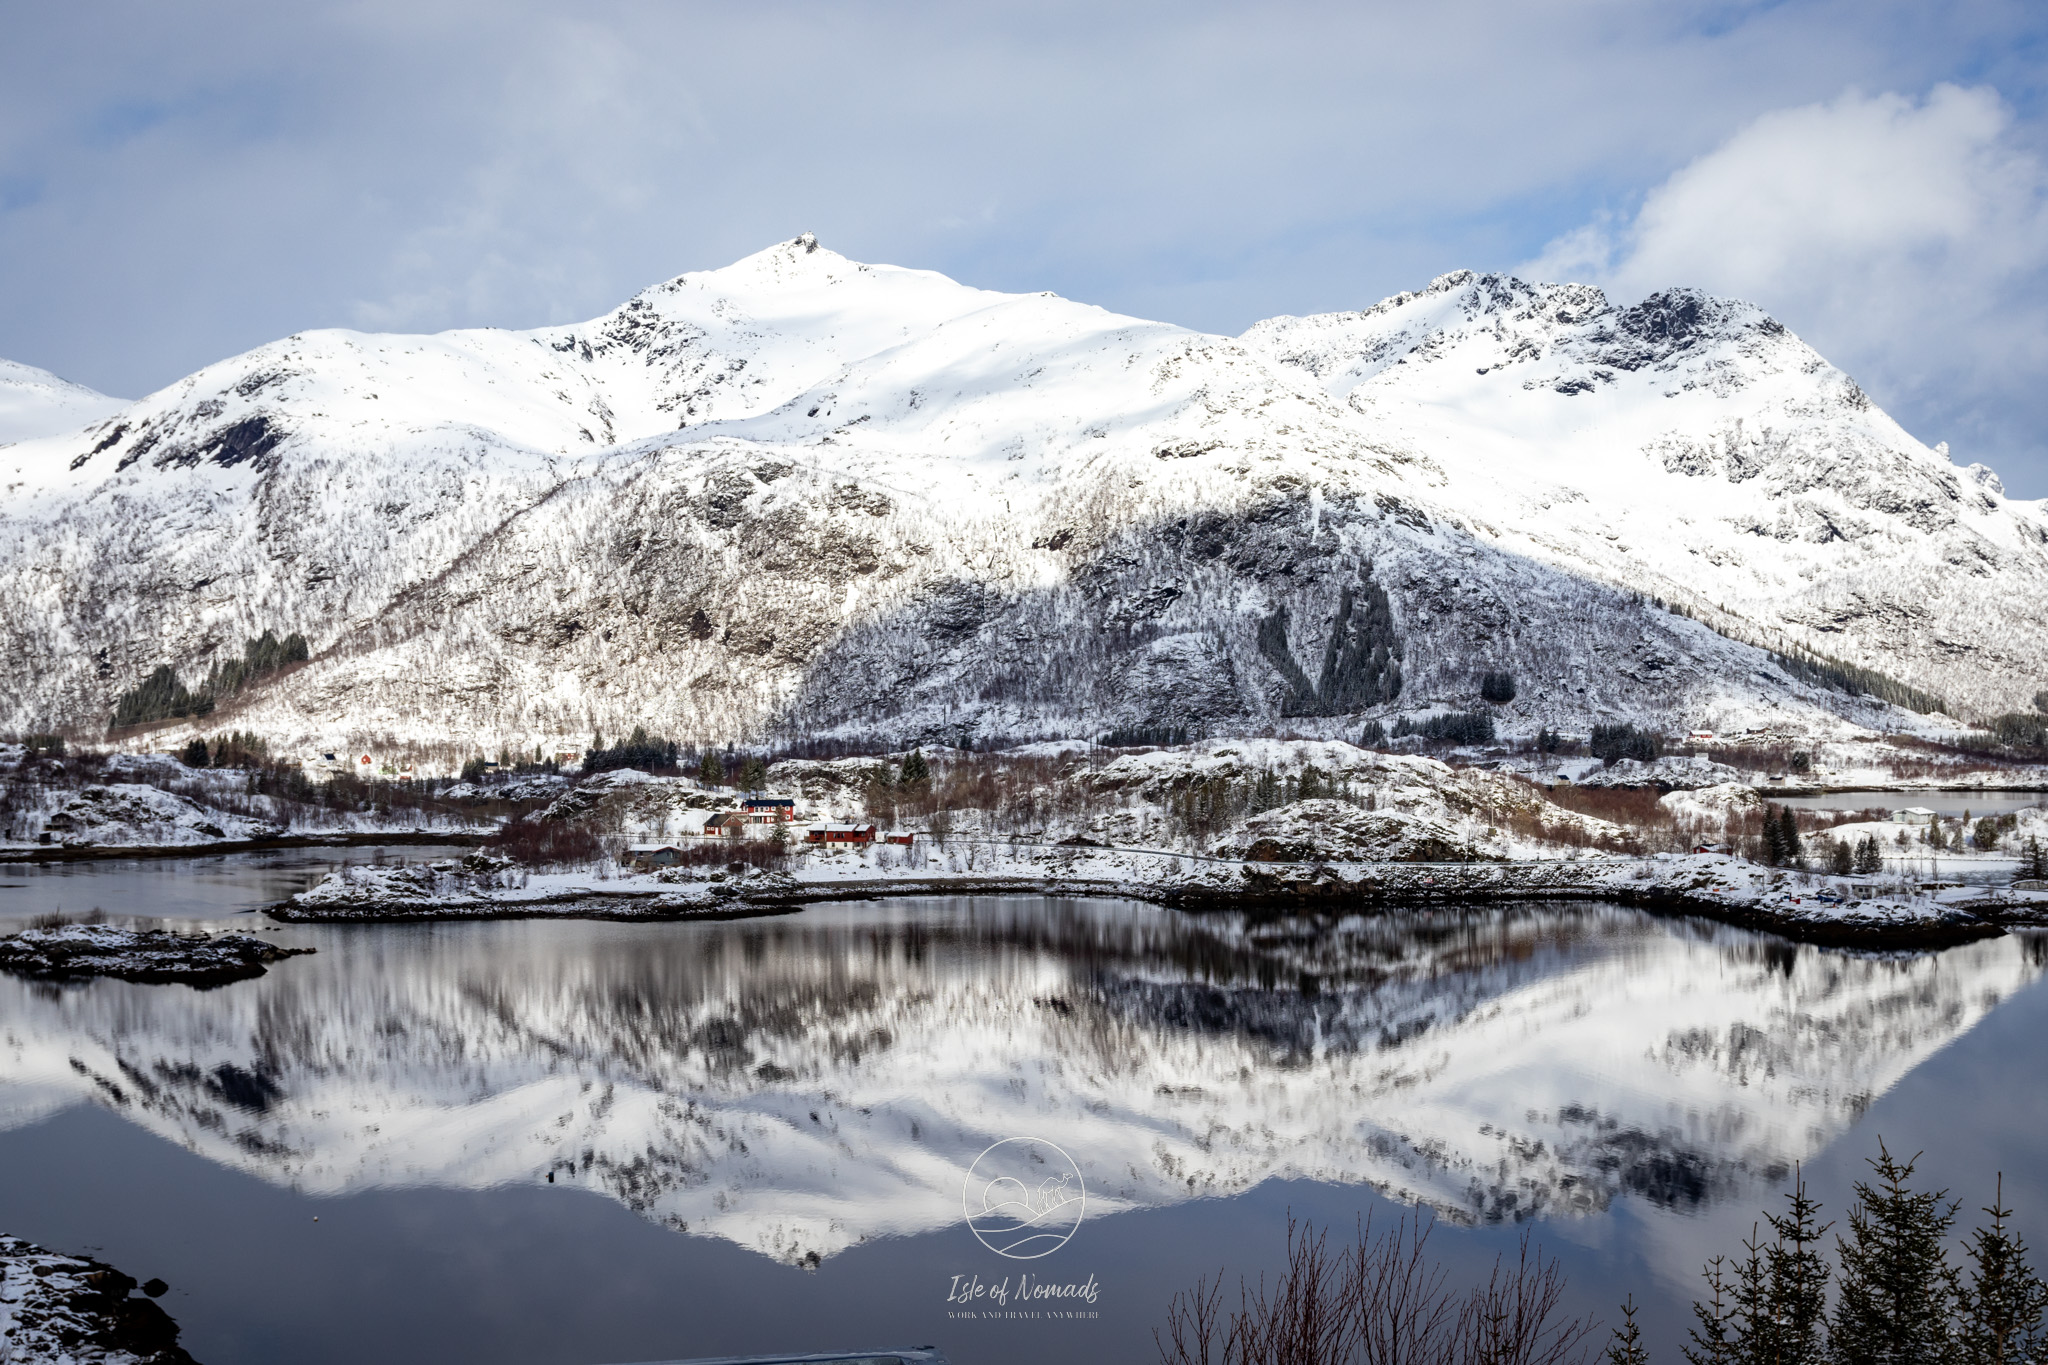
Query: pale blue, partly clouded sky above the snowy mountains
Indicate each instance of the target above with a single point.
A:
(183, 183)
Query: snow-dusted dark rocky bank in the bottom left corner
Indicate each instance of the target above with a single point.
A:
(77, 1309)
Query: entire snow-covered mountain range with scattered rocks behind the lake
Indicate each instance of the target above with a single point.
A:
(812, 494)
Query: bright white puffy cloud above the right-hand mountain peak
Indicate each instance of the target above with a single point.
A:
(1908, 240)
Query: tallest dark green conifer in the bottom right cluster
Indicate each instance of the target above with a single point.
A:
(1897, 1288)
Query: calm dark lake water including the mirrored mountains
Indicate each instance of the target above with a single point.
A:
(761, 1129)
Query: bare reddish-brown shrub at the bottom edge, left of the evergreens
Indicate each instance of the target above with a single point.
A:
(1381, 1301)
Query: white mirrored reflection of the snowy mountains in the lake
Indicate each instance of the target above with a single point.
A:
(806, 1084)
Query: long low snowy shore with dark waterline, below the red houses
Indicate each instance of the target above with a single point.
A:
(1848, 912)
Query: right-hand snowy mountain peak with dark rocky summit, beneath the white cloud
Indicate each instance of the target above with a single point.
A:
(1699, 451)
